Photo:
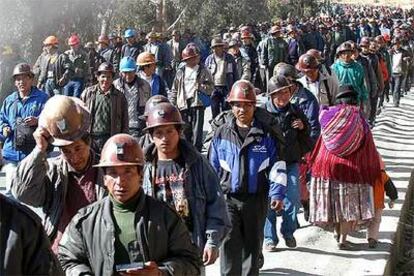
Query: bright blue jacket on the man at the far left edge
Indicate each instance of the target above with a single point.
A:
(31, 107)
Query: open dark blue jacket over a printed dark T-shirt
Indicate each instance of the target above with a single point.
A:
(210, 219)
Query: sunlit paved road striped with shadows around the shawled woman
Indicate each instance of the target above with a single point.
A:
(316, 253)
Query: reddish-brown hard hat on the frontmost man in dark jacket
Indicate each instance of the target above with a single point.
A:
(121, 150)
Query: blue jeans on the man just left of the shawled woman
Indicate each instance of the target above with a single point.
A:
(290, 210)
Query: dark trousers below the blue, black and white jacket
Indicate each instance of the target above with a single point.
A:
(239, 254)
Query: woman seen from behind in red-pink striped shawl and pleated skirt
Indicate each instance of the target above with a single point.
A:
(345, 166)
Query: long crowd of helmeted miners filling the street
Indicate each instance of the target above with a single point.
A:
(105, 142)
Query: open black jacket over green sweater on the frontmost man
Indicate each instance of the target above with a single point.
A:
(88, 244)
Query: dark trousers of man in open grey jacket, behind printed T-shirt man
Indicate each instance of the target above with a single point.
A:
(194, 116)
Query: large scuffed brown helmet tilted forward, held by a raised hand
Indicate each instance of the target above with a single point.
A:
(66, 119)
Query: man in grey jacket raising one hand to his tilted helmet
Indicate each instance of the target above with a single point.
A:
(64, 184)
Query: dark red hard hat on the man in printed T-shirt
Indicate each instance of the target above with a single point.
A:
(163, 114)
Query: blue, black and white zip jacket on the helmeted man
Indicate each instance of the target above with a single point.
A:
(249, 167)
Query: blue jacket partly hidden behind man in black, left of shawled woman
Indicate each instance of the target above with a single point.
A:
(309, 105)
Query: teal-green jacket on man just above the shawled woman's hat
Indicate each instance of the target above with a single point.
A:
(351, 74)
